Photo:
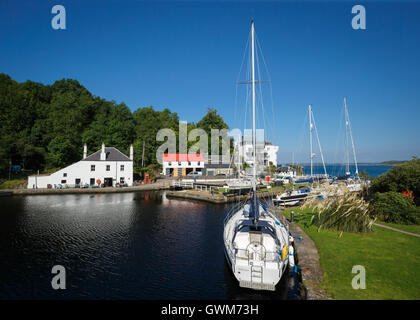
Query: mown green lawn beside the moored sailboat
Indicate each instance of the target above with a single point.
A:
(391, 260)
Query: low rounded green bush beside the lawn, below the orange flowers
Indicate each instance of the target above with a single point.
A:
(395, 208)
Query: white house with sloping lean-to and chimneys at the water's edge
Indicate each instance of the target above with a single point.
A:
(107, 166)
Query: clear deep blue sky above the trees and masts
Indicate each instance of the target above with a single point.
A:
(186, 56)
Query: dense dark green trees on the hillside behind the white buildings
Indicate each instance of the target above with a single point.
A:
(45, 126)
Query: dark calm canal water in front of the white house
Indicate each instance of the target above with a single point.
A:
(119, 246)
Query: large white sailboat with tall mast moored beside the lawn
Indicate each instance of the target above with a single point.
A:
(256, 243)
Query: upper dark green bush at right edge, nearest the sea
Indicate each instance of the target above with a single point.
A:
(405, 177)
